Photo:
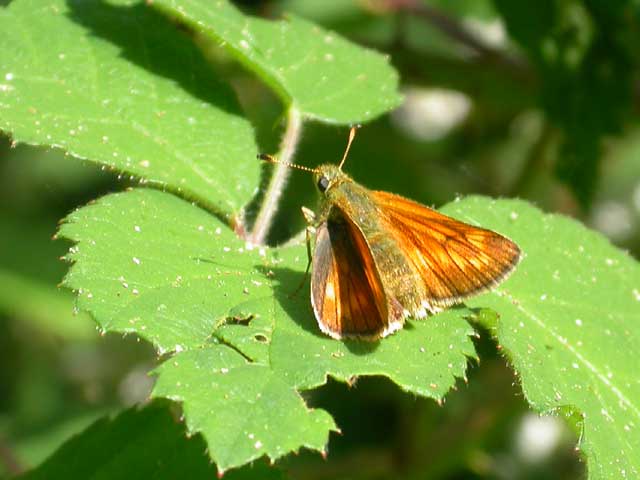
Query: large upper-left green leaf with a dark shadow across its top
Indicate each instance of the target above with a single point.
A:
(118, 84)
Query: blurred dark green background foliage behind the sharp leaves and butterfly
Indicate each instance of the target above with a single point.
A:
(533, 99)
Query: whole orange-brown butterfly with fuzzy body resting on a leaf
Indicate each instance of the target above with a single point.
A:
(380, 258)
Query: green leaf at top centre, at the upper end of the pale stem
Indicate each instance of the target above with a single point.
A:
(323, 75)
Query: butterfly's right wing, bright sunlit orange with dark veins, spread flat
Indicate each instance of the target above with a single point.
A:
(454, 259)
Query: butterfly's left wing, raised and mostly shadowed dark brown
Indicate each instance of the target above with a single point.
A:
(346, 291)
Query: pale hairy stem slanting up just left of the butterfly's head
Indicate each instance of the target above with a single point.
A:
(278, 179)
